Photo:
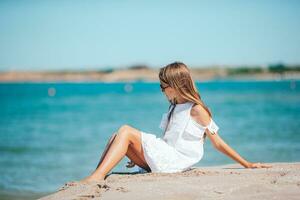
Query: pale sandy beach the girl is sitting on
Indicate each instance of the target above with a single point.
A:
(232, 181)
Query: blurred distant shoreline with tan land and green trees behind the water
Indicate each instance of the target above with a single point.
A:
(146, 74)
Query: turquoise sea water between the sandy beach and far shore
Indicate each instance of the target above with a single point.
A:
(51, 133)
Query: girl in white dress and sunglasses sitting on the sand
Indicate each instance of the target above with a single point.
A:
(185, 125)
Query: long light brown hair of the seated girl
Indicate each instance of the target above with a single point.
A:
(177, 75)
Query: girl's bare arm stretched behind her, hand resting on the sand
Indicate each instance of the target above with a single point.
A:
(221, 145)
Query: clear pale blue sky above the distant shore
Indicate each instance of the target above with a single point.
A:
(95, 34)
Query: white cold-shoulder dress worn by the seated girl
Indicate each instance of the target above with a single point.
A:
(182, 145)
